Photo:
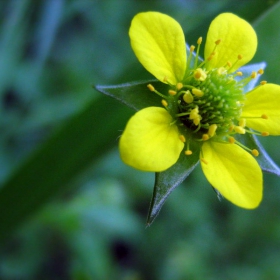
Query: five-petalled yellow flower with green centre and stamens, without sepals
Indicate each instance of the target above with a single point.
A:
(205, 105)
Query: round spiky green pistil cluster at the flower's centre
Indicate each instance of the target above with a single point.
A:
(210, 98)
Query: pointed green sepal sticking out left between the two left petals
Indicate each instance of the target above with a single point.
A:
(136, 95)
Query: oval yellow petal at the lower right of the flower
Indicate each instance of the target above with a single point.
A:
(233, 172)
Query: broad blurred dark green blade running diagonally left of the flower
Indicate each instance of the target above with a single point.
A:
(49, 170)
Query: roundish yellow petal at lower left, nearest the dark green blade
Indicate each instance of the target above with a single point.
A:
(150, 142)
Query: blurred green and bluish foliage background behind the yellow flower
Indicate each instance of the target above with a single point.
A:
(69, 208)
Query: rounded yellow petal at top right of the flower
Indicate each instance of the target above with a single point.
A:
(237, 38)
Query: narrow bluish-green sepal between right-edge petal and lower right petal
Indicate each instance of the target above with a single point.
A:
(264, 160)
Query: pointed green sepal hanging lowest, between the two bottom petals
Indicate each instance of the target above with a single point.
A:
(167, 181)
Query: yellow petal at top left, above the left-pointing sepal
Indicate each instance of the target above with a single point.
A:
(158, 42)
